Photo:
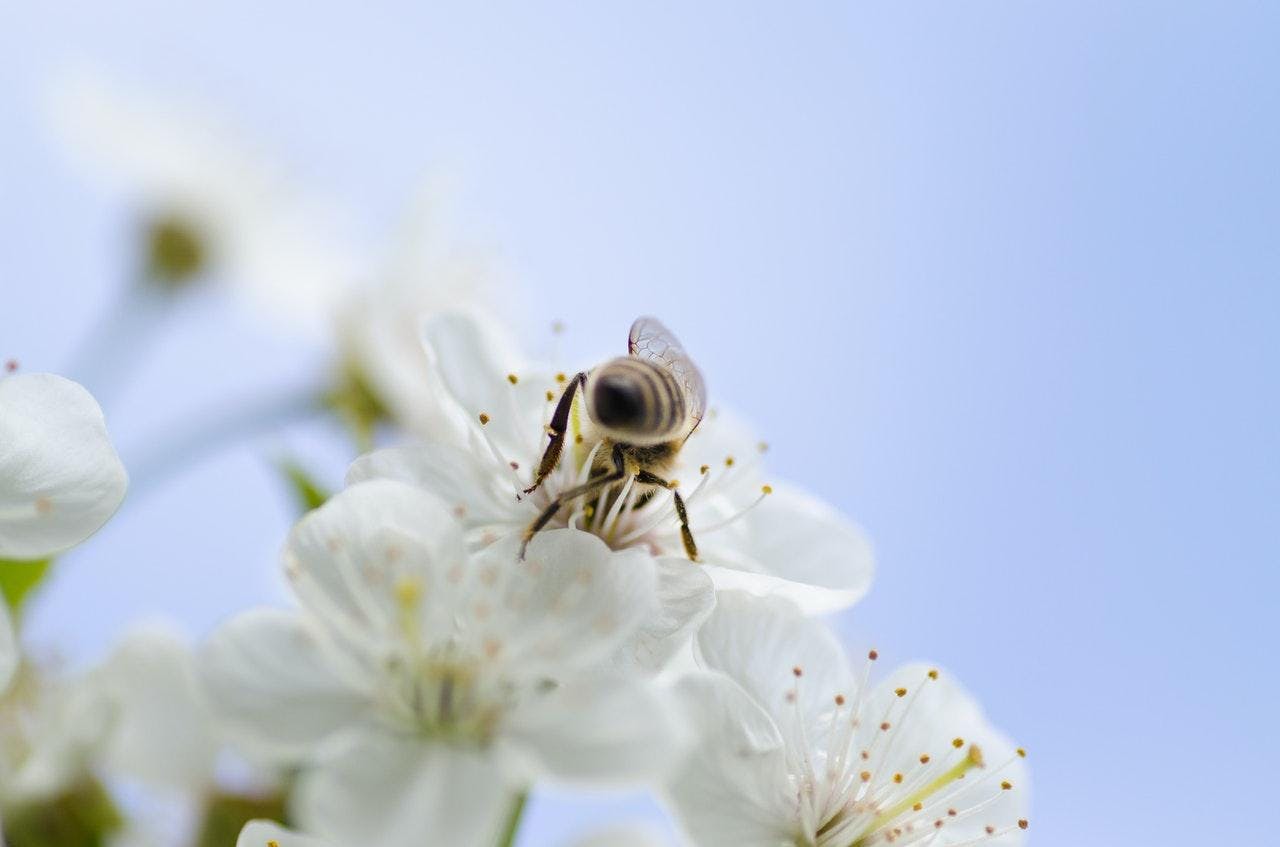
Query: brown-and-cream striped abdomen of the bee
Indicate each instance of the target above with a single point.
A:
(637, 401)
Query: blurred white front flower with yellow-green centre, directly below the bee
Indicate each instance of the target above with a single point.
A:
(428, 685)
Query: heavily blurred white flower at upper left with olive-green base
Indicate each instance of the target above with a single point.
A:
(209, 202)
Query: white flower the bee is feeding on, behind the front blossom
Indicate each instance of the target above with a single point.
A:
(499, 409)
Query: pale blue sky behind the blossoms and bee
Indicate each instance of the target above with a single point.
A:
(998, 280)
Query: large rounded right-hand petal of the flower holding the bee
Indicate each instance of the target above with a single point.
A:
(798, 547)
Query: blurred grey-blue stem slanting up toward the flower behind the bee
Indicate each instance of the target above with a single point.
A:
(211, 432)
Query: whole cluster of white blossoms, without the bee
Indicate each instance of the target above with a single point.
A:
(441, 660)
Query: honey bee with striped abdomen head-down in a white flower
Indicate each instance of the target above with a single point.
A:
(643, 408)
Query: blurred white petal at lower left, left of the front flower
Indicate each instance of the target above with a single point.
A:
(163, 734)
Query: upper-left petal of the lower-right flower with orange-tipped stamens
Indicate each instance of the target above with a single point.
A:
(761, 643)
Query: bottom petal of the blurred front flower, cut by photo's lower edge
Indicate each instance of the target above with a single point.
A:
(381, 790)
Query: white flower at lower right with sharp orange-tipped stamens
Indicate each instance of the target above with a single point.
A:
(798, 750)
